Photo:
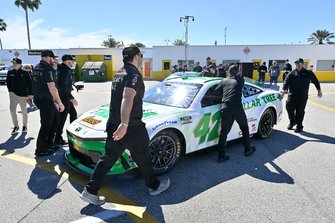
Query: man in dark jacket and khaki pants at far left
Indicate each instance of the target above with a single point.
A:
(20, 88)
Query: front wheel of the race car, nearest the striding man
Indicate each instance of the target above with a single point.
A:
(165, 150)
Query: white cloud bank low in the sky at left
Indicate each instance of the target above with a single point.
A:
(15, 37)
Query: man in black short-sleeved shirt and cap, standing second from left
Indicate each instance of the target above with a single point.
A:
(47, 100)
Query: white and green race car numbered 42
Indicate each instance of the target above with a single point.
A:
(182, 115)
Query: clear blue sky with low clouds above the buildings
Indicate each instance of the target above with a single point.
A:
(66, 23)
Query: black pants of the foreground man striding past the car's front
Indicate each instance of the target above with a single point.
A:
(137, 141)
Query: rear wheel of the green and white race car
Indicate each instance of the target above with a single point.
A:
(266, 124)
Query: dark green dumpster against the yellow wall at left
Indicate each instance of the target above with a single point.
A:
(94, 72)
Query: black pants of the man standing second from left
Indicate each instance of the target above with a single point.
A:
(49, 120)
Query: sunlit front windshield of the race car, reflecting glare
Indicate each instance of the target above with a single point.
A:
(172, 94)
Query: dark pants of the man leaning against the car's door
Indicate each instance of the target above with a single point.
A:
(229, 115)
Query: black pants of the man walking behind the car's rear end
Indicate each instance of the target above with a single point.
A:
(295, 107)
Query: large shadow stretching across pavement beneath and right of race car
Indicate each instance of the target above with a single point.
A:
(198, 172)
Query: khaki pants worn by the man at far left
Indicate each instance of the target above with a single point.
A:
(22, 101)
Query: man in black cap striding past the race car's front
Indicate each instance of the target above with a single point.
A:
(125, 129)
